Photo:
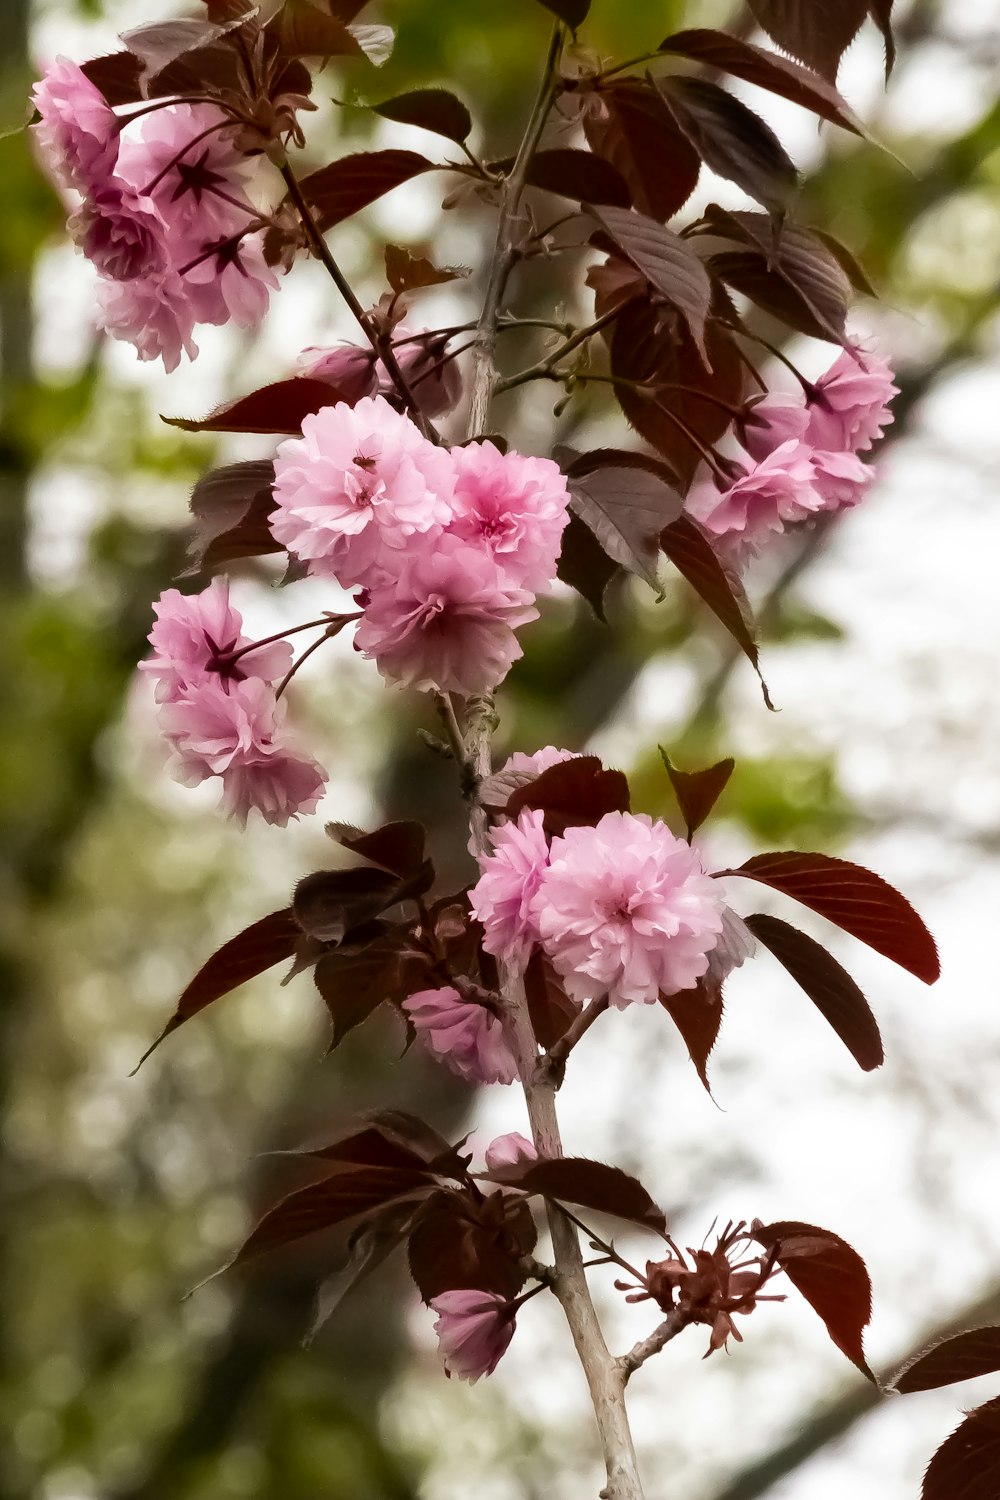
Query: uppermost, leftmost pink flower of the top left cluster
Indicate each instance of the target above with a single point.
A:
(79, 133)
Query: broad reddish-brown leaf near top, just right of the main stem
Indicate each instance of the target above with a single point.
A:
(630, 127)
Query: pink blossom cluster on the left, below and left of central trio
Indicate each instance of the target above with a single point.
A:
(220, 712)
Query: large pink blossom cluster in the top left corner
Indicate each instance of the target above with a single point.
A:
(161, 212)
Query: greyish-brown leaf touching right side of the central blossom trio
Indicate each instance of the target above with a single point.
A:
(626, 509)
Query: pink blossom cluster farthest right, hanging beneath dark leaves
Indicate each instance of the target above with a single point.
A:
(801, 457)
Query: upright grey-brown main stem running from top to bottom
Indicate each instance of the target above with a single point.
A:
(605, 1375)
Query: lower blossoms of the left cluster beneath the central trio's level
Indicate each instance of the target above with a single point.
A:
(233, 731)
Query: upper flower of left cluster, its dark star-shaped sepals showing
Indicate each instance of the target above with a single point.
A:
(194, 640)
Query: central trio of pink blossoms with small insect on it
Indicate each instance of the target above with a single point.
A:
(449, 547)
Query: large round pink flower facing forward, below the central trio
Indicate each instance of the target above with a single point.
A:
(627, 911)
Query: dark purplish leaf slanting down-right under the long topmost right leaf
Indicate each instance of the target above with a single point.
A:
(732, 140)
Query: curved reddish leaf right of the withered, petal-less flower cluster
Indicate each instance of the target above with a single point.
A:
(831, 1277)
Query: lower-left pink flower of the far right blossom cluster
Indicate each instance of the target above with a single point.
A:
(764, 499)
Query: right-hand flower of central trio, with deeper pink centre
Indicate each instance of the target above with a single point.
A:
(512, 506)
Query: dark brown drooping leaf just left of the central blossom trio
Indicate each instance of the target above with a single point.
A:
(232, 508)
